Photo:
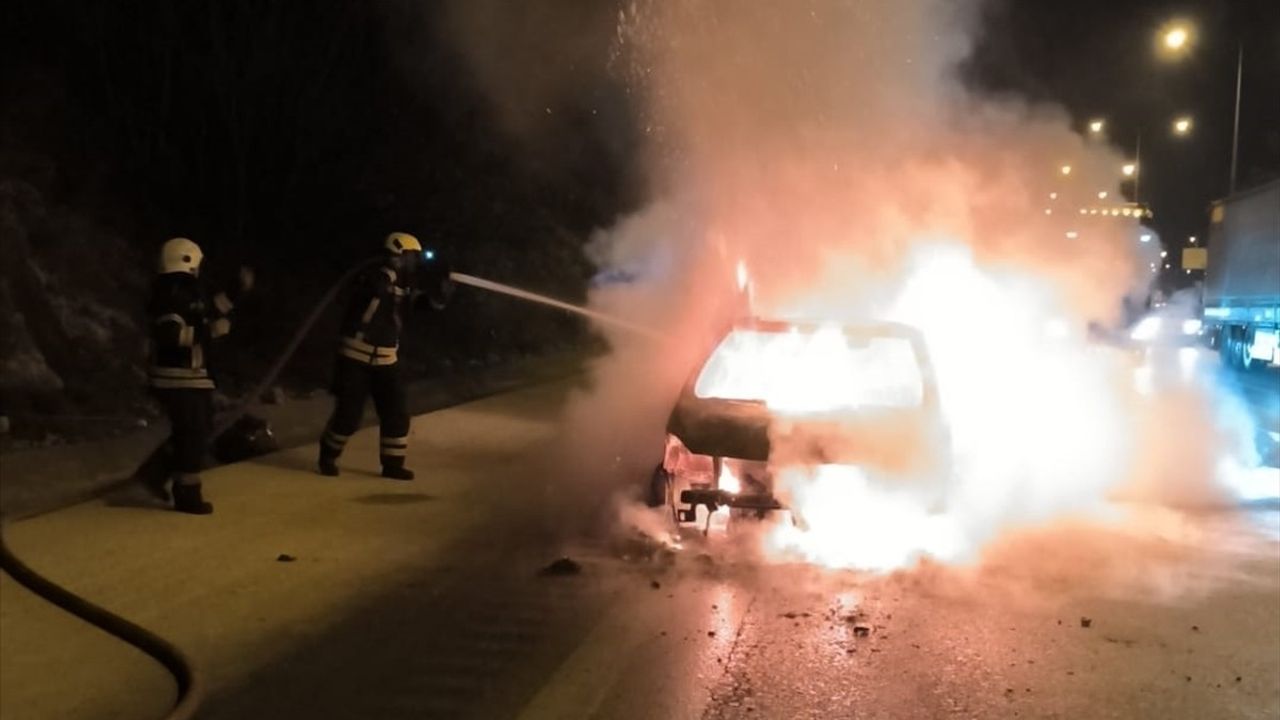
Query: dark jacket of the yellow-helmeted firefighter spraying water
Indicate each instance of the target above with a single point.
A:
(372, 326)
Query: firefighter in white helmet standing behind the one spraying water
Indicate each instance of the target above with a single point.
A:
(186, 321)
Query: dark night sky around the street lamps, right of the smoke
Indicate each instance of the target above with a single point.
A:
(1099, 60)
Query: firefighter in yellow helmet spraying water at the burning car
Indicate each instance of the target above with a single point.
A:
(367, 364)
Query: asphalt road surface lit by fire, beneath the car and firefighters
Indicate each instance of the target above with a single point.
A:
(424, 600)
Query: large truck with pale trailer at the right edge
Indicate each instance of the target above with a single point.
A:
(1242, 279)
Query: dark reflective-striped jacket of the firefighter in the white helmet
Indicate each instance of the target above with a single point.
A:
(186, 320)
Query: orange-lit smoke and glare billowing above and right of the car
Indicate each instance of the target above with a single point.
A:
(833, 151)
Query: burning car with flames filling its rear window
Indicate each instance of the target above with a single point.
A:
(775, 395)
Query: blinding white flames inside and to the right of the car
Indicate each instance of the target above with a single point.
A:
(1040, 421)
